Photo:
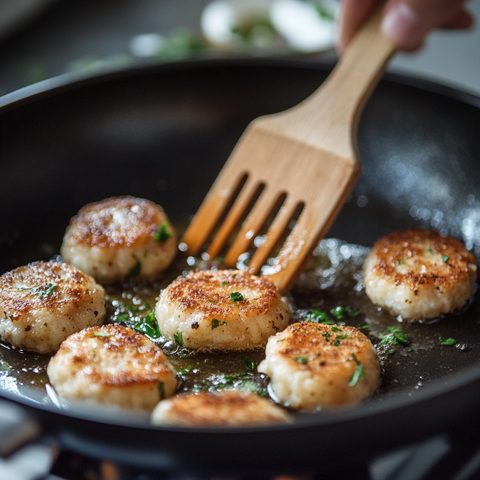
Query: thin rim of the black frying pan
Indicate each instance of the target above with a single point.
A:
(70, 82)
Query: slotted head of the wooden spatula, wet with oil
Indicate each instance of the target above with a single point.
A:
(303, 175)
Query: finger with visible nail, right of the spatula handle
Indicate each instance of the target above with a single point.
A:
(406, 22)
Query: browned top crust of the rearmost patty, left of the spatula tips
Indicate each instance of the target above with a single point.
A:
(94, 225)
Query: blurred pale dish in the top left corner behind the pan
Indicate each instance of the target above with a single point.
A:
(16, 13)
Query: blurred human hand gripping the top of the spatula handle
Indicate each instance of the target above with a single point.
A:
(406, 22)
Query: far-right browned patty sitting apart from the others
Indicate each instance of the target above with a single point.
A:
(419, 274)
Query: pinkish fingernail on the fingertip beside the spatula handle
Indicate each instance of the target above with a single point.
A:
(401, 24)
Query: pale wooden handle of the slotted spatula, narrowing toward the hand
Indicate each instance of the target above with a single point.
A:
(329, 117)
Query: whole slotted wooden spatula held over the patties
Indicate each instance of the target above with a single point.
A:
(306, 155)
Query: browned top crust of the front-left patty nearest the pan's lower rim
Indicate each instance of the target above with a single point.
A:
(142, 361)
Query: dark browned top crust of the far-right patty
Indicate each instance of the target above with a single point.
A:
(412, 244)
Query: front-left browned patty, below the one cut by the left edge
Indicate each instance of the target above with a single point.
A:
(112, 365)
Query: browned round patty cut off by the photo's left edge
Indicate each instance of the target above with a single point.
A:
(42, 303)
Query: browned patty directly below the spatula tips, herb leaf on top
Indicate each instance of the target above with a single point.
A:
(221, 310)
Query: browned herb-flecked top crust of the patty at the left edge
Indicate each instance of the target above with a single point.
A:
(26, 289)
